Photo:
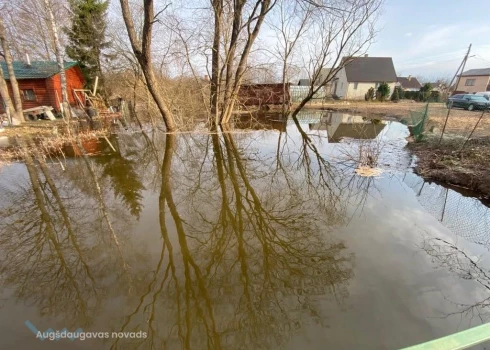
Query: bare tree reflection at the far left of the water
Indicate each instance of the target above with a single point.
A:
(54, 247)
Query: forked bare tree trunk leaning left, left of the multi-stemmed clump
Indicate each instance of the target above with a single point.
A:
(142, 51)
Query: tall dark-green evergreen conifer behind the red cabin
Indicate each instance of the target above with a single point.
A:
(86, 37)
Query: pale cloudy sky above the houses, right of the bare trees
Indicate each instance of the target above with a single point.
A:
(429, 38)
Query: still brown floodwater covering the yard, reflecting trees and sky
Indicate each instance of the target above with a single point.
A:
(254, 238)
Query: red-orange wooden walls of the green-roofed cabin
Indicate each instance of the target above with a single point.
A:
(46, 89)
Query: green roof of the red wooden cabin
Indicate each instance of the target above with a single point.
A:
(37, 69)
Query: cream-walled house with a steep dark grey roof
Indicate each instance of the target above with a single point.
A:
(361, 73)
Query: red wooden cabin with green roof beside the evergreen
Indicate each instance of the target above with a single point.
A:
(40, 83)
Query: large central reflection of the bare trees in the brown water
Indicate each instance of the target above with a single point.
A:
(244, 260)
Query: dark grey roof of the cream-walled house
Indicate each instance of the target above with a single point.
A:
(370, 69)
